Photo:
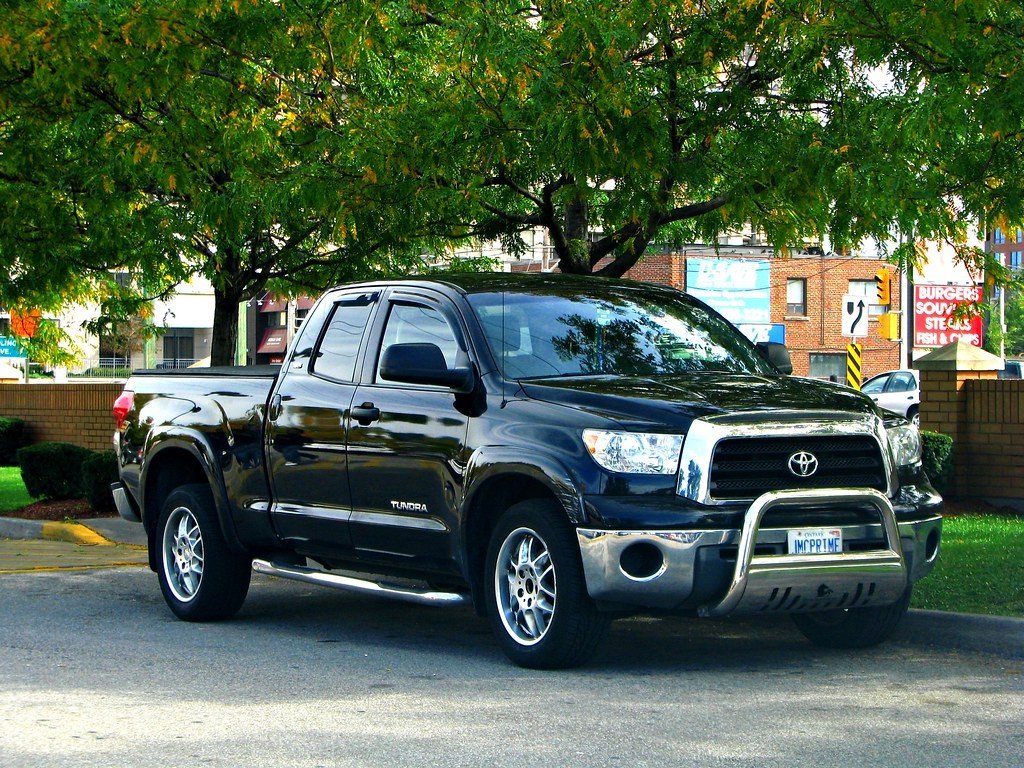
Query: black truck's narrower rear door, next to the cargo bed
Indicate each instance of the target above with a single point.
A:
(307, 426)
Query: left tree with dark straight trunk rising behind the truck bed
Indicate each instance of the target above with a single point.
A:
(180, 155)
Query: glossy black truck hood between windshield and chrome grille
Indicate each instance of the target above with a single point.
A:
(675, 401)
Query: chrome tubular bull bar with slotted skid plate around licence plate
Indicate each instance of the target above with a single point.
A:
(804, 583)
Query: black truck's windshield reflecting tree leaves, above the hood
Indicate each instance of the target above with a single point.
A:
(619, 330)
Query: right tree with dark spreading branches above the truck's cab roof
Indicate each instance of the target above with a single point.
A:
(615, 124)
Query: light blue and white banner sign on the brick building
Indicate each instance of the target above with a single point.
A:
(737, 288)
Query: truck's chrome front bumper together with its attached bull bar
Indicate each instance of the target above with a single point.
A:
(720, 572)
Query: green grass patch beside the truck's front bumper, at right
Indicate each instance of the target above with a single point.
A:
(980, 568)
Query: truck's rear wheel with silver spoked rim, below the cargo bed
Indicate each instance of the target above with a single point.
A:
(202, 580)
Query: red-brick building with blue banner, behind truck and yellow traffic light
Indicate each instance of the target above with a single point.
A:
(806, 303)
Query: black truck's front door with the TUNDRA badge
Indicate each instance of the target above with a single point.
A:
(406, 444)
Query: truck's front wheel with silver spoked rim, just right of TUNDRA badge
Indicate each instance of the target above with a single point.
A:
(536, 592)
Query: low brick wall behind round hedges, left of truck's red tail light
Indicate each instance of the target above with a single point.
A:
(67, 413)
